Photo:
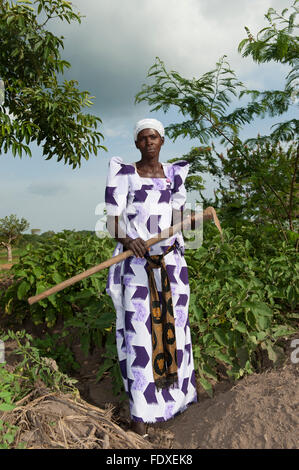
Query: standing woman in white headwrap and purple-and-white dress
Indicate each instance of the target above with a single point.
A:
(150, 290)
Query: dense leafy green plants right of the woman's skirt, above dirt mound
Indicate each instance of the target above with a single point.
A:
(241, 302)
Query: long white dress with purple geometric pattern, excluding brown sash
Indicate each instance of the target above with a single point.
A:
(144, 206)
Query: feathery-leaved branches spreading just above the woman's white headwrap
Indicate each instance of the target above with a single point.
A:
(204, 100)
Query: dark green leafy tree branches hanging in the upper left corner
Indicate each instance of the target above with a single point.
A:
(36, 107)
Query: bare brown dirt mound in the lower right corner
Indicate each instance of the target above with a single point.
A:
(259, 412)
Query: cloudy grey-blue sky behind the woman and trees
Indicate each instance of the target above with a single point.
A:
(110, 53)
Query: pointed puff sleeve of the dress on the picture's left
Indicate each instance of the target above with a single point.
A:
(116, 187)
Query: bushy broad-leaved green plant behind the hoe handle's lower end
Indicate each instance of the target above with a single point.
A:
(49, 263)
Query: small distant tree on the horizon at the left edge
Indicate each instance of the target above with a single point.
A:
(11, 229)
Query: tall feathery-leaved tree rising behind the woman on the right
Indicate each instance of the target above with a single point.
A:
(205, 104)
